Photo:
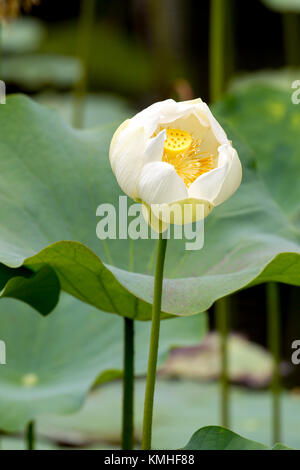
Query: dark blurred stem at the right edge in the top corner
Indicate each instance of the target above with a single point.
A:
(291, 38)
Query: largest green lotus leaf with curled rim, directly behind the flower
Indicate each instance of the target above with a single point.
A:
(53, 178)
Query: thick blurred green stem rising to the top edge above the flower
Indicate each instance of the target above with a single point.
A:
(217, 49)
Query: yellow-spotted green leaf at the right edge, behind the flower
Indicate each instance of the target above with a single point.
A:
(269, 121)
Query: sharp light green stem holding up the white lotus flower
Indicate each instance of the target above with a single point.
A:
(154, 340)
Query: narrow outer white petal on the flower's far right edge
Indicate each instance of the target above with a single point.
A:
(233, 179)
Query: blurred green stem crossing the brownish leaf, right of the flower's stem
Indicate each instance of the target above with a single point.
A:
(222, 321)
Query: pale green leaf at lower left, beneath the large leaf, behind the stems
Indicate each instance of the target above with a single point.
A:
(52, 362)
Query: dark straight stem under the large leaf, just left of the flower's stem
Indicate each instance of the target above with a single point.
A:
(128, 386)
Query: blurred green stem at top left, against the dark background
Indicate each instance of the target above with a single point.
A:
(85, 29)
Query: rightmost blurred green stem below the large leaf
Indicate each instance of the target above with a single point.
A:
(273, 312)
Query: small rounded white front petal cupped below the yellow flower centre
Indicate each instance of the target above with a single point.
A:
(159, 183)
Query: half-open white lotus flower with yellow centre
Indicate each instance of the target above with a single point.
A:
(175, 155)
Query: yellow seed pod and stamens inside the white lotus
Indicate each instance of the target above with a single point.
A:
(183, 152)
